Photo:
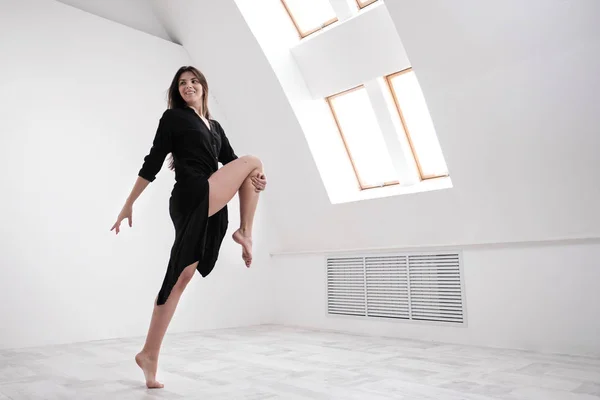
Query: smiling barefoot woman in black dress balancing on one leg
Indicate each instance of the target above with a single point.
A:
(198, 203)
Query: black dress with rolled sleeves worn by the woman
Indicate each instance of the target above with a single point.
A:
(196, 151)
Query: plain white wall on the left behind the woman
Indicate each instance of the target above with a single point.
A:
(80, 101)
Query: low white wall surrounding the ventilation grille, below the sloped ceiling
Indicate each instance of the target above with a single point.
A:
(536, 297)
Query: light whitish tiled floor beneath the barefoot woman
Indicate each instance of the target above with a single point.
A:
(270, 362)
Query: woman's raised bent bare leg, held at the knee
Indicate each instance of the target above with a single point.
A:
(235, 177)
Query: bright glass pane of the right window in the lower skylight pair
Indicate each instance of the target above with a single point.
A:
(419, 124)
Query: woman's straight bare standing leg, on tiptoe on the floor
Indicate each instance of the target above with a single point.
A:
(147, 359)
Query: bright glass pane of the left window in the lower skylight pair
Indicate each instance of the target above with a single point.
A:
(363, 137)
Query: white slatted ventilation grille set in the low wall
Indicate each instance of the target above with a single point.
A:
(425, 287)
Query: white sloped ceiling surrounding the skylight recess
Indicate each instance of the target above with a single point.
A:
(492, 73)
